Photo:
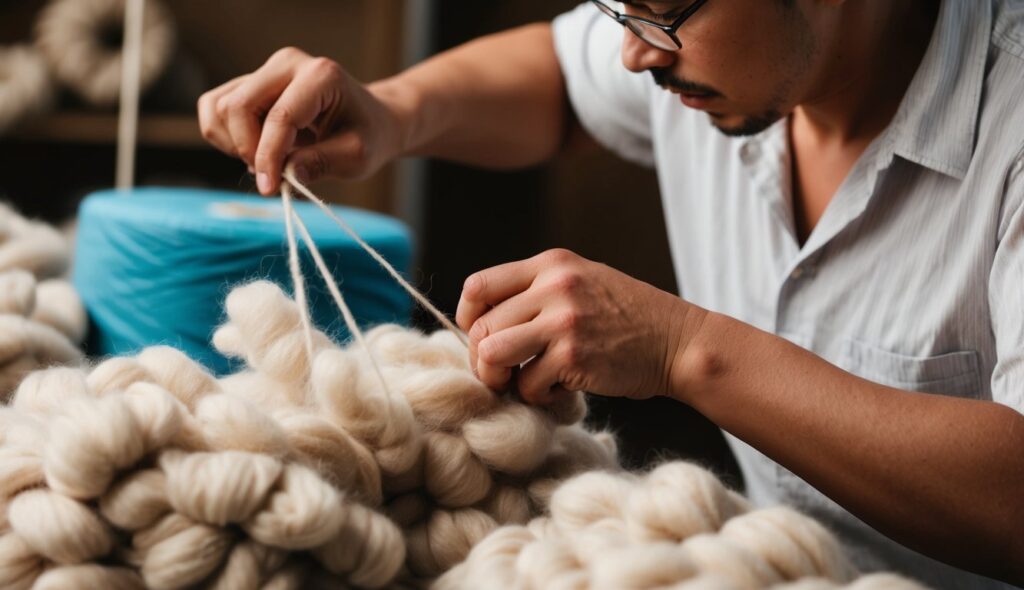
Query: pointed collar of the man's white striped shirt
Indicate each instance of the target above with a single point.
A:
(937, 121)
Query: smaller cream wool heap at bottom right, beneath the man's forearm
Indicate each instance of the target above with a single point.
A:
(676, 528)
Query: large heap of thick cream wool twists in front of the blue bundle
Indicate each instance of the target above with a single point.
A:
(148, 472)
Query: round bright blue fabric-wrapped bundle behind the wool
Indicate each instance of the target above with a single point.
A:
(154, 266)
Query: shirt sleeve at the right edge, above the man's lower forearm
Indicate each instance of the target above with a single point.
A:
(1007, 298)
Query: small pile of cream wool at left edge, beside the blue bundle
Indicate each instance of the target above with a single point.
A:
(41, 316)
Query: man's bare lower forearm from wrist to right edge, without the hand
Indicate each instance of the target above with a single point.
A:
(941, 475)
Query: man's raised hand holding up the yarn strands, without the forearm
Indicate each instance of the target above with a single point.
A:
(305, 109)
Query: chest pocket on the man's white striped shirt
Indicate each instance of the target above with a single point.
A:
(956, 374)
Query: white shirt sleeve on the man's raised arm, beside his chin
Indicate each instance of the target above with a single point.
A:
(612, 103)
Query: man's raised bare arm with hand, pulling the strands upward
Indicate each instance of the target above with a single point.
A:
(498, 102)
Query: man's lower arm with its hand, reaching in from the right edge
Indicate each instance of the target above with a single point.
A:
(941, 475)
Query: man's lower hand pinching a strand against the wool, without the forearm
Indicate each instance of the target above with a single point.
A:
(573, 323)
